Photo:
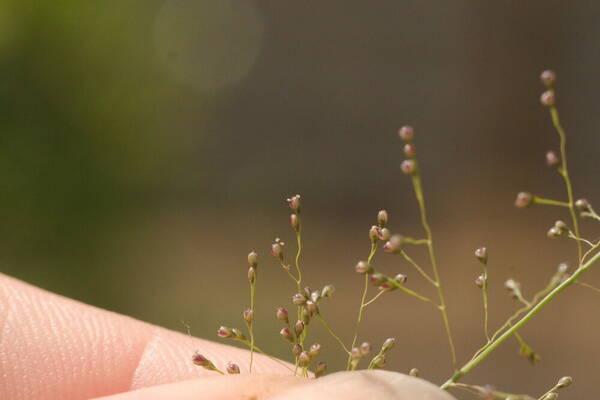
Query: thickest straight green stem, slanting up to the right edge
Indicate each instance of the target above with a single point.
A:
(509, 332)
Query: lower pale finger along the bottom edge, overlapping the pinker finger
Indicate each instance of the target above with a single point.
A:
(359, 385)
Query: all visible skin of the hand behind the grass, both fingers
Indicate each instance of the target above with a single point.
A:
(52, 347)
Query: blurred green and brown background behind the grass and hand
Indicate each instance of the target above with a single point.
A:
(147, 146)
